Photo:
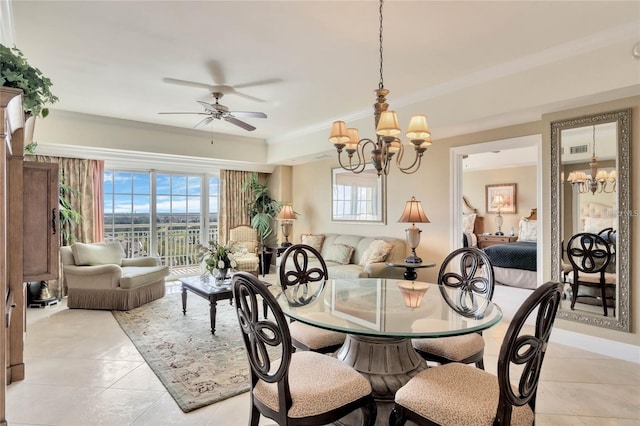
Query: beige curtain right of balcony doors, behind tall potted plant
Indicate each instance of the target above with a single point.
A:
(234, 202)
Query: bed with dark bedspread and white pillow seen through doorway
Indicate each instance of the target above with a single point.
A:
(515, 264)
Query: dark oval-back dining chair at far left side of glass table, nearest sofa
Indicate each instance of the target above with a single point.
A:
(300, 266)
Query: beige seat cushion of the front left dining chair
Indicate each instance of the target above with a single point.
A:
(319, 383)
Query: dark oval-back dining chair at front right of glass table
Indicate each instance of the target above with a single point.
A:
(457, 394)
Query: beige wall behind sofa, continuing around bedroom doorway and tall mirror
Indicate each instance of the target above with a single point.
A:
(431, 184)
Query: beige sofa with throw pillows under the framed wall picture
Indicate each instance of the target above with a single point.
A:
(356, 256)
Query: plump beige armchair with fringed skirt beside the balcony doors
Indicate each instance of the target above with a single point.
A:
(98, 276)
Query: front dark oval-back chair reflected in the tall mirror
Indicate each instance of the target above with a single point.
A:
(590, 256)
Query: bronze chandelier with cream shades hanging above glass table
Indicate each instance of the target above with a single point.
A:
(386, 144)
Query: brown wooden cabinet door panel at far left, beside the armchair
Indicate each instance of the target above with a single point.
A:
(40, 221)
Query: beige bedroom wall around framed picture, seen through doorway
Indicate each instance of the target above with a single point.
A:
(474, 182)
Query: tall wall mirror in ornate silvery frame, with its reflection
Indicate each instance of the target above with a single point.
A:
(591, 165)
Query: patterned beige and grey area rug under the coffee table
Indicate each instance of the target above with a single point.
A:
(196, 367)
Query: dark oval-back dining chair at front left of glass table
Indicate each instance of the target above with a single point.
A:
(293, 388)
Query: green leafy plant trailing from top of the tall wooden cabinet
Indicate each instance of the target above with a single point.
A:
(16, 72)
